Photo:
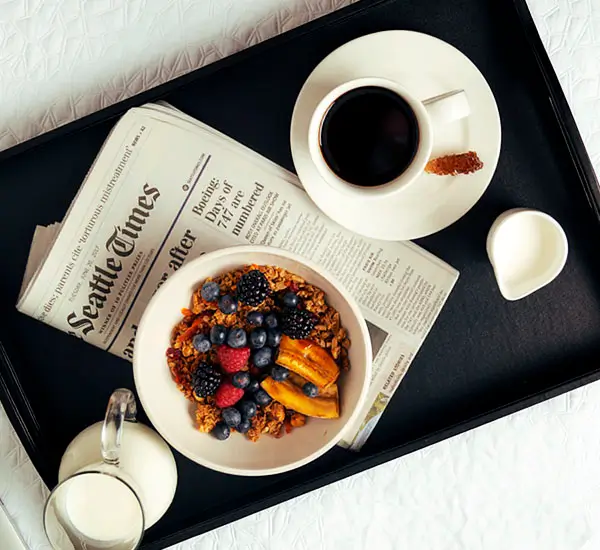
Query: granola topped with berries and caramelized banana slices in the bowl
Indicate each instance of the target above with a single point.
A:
(216, 380)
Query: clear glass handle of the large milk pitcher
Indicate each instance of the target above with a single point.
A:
(121, 407)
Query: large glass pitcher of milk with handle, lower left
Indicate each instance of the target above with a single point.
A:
(116, 479)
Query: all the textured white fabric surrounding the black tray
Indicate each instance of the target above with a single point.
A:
(529, 481)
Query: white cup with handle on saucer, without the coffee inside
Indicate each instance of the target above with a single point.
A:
(439, 110)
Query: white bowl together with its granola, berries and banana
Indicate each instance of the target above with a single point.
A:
(247, 346)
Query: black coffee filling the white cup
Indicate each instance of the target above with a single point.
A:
(369, 136)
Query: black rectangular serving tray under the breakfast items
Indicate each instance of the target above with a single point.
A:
(484, 358)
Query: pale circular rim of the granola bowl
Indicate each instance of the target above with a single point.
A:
(256, 249)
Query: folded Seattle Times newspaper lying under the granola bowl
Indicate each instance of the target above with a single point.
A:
(165, 189)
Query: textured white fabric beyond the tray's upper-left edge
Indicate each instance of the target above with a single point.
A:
(88, 55)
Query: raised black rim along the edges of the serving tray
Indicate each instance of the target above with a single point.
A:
(14, 398)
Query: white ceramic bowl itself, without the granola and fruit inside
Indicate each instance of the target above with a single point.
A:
(172, 414)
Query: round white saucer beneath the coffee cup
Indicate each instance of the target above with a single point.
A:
(426, 67)
